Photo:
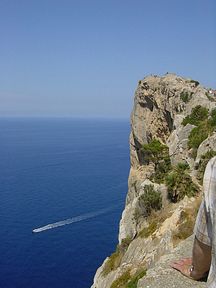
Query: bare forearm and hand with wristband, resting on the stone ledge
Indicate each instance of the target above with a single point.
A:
(200, 261)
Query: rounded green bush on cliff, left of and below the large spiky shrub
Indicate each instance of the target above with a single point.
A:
(150, 200)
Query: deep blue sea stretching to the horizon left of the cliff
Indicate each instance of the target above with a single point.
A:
(51, 170)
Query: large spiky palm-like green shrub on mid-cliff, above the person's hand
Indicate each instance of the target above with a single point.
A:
(180, 184)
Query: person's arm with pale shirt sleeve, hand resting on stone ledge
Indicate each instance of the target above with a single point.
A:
(198, 266)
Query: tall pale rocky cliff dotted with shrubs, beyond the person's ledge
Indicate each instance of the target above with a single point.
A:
(167, 159)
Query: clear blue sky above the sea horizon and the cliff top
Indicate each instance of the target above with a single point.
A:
(83, 58)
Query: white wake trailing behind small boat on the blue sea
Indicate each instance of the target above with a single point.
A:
(73, 220)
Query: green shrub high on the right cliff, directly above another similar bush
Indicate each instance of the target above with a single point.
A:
(197, 115)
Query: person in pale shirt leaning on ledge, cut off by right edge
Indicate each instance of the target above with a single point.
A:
(203, 261)
